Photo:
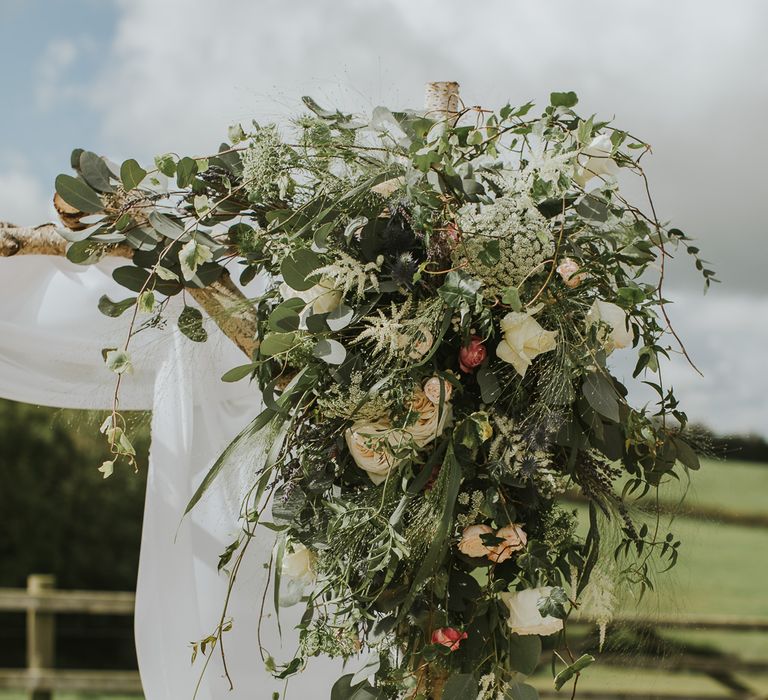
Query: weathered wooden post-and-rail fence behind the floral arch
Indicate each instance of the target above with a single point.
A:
(42, 602)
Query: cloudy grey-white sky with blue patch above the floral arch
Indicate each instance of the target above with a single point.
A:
(132, 78)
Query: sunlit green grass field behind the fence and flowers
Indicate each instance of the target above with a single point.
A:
(723, 570)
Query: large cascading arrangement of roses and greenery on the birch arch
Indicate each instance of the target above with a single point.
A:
(443, 294)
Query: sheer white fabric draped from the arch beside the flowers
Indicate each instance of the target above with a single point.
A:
(51, 335)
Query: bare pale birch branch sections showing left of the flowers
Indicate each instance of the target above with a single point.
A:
(223, 301)
